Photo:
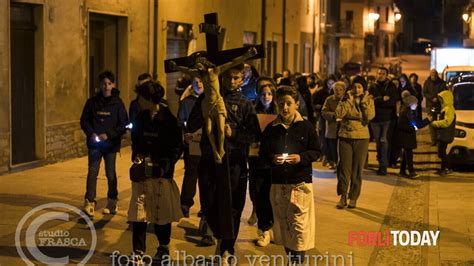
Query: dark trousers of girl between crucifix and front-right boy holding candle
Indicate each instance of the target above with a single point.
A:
(259, 188)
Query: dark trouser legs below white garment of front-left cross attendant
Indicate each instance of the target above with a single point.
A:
(162, 232)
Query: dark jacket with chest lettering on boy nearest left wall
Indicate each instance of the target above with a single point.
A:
(104, 115)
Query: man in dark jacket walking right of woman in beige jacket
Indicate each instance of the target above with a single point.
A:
(385, 97)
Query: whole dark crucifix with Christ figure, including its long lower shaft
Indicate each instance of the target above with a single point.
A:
(208, 65)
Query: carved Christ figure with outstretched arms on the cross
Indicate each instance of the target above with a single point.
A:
(213, 106)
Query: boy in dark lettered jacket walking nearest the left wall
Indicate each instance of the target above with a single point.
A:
(103, 120)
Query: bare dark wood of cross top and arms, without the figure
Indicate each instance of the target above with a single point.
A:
(212, 30)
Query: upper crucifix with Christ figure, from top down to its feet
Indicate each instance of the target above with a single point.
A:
(208, 66)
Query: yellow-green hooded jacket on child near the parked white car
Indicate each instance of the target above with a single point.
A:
(445, 124)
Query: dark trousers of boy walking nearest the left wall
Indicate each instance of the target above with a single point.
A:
(94, 158)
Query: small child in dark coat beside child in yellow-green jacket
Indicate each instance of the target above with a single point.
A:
(408, 124)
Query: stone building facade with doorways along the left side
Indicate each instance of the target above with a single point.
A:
(52, 51)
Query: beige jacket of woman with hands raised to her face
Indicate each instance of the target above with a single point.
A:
(355, 118)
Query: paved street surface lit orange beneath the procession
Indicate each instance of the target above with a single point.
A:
(389, 202)
